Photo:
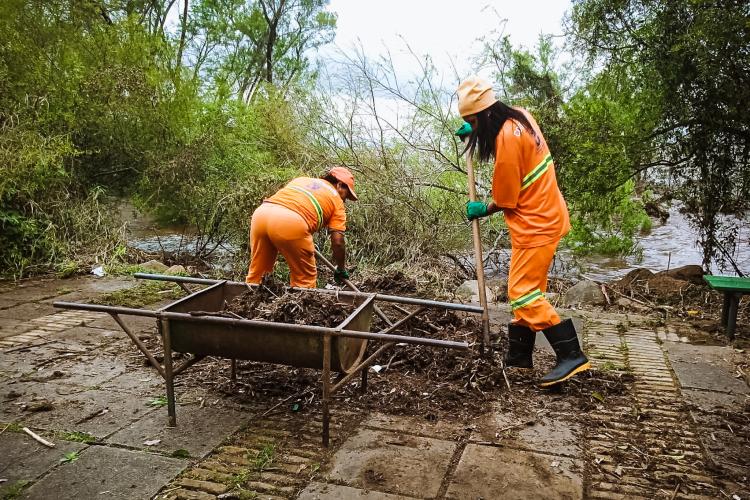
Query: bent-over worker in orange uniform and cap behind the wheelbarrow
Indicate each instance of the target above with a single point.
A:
(286, 221)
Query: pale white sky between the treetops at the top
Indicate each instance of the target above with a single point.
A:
(444, 30)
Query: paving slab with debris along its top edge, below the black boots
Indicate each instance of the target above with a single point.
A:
(548, 434)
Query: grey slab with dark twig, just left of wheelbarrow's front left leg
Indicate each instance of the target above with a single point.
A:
(82, 412)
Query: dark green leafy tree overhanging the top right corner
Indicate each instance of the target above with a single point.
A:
(689, 66)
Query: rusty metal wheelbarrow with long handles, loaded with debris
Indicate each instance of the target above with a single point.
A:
(340, 349)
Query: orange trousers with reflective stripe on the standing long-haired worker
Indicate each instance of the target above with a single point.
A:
(527, 282)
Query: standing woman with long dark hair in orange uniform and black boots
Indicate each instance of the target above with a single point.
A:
(524, 188)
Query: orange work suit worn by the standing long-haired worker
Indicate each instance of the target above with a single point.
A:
(524, 185)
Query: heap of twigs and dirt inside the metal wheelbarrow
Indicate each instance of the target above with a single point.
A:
(272, 302)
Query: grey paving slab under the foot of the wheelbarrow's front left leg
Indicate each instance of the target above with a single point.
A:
(199, 430)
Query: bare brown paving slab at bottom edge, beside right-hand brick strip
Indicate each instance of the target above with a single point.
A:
(492, 472)
